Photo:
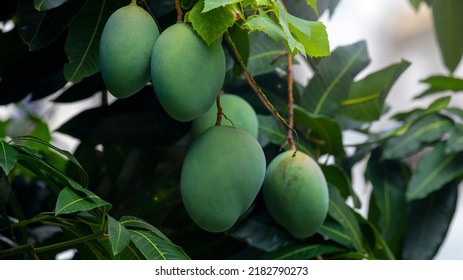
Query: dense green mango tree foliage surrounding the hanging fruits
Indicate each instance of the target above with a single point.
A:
(117, 195)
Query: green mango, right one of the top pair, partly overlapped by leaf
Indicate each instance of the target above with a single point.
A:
(187, 74)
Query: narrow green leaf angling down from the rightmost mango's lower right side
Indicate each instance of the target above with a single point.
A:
(343, 214)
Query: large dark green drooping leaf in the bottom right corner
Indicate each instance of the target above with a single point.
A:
(428, 223)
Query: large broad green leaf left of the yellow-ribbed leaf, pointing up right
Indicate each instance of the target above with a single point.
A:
(333, 79)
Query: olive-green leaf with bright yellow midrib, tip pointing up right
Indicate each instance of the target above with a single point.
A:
(365, 101)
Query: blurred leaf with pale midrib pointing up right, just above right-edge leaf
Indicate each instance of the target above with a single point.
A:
(428, 129)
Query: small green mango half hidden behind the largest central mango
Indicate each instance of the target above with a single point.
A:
(237, 109)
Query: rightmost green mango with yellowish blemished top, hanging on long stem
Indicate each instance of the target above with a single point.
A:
(296, 193)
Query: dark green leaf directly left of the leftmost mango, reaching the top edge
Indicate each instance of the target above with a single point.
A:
(83, 39)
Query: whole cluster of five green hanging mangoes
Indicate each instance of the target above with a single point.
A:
(225, 166)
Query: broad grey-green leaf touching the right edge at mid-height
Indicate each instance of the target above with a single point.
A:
(434, 170)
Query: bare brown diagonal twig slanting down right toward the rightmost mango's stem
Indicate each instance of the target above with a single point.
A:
(252, 82)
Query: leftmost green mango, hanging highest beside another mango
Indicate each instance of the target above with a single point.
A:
(125, 50)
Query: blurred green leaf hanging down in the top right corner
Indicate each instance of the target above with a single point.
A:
(447, 23)
